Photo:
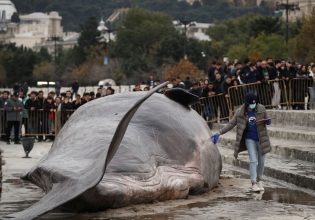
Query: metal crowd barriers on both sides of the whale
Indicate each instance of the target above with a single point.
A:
(295, 93)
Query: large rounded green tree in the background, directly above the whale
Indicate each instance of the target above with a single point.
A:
(146, 41)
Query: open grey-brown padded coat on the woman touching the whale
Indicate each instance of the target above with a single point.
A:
(240, 120)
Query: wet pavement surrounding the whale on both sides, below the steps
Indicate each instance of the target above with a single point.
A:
(230, 200)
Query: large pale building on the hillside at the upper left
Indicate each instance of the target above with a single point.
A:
(33, 30)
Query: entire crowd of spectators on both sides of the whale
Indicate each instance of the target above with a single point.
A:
(19, 108)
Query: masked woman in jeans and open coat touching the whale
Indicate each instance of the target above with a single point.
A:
(251, 135)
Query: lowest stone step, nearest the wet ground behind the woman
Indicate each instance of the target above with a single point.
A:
(298, 172)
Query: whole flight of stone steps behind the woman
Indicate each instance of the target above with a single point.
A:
(292, 159)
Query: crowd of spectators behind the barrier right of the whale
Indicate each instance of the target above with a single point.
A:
(222, 76)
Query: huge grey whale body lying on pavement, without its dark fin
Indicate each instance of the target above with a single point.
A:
(164, 154)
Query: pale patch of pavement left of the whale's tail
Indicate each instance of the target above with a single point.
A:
(16, 192)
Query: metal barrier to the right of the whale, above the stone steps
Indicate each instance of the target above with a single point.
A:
(298, 93)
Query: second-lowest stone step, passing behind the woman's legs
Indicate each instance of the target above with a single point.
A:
(287, 149)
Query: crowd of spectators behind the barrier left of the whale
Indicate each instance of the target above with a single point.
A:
(36, 112)
